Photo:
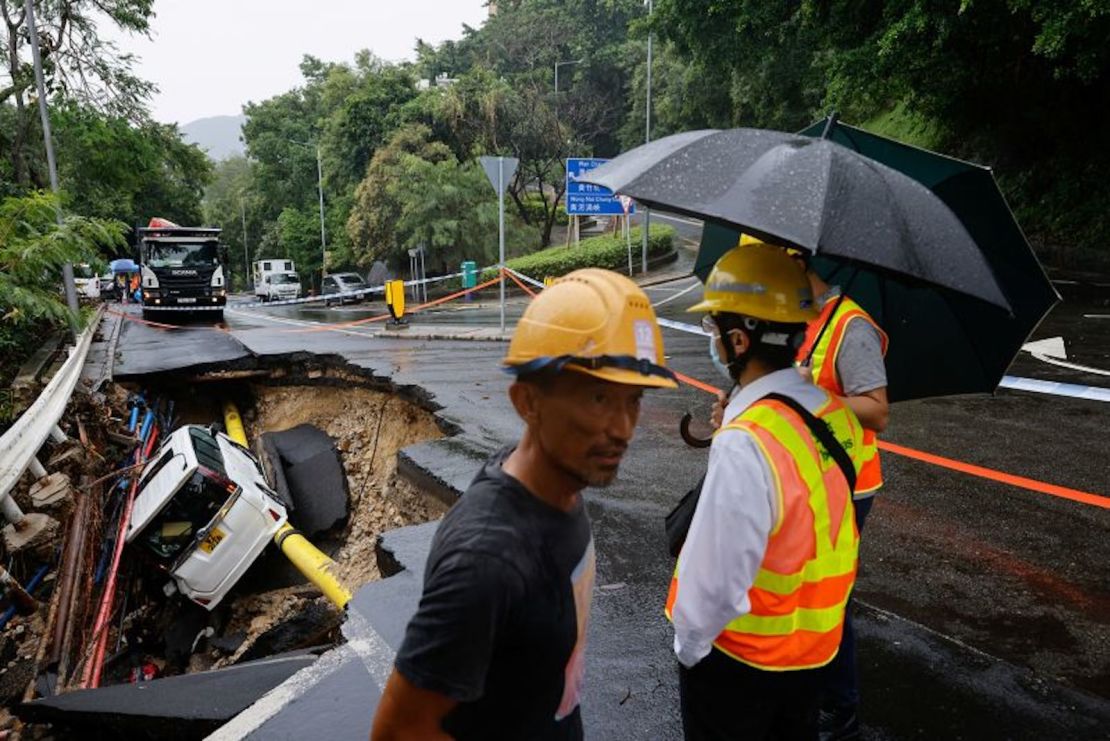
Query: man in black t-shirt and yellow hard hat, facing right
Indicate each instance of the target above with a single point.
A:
(497, 647)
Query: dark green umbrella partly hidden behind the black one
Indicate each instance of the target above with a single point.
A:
(942, 342)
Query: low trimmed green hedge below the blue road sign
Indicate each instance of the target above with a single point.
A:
(606, 251)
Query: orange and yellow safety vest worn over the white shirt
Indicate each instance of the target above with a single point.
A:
(801, 591)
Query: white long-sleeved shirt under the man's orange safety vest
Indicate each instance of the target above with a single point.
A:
(735, 515)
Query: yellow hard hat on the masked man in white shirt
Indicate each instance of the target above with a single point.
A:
(761, 281)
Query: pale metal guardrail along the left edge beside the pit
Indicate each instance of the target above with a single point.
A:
(23, 441)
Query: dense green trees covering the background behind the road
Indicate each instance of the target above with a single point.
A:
(1023, 86)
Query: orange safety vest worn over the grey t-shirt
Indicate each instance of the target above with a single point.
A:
(824, 367)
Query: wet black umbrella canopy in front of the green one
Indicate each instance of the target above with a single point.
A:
(811, 194)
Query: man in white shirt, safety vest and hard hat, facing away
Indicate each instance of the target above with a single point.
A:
(758, 600)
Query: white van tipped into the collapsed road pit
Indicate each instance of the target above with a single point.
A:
(204, 513)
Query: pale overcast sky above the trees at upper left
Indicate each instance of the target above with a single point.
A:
(210, 57)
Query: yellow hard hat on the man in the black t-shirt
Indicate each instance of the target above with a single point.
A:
(596, 322)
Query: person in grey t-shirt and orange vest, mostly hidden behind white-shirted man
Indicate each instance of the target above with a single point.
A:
(843, 354)
